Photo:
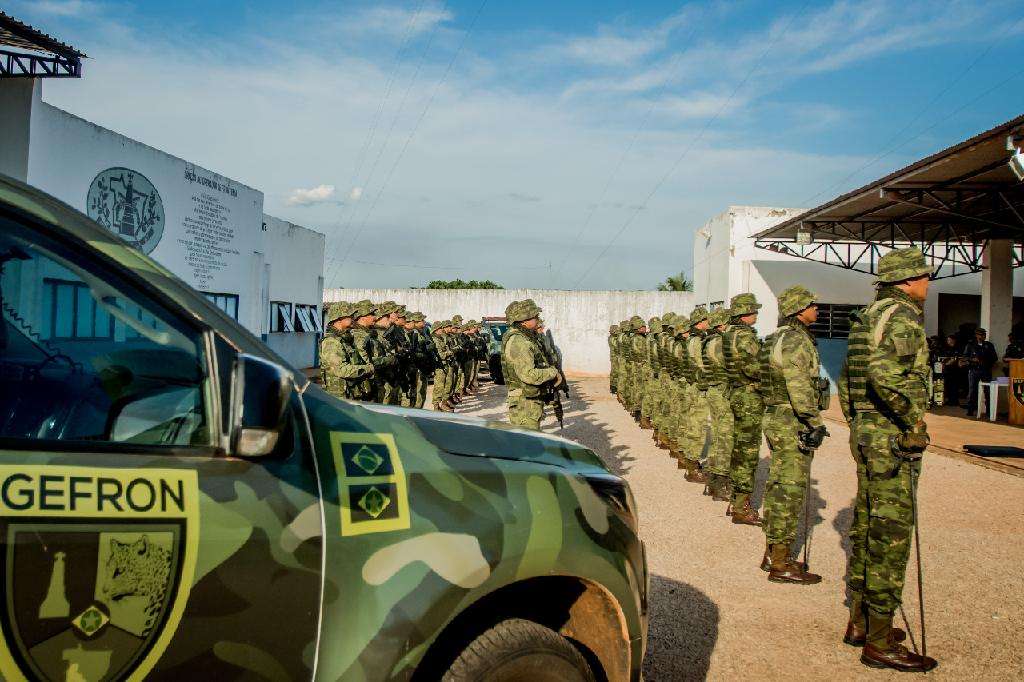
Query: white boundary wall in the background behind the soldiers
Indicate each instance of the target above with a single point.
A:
(579, 320)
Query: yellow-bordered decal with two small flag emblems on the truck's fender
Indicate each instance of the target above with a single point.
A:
(372, 486)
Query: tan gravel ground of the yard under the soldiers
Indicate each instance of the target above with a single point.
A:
(713, 613)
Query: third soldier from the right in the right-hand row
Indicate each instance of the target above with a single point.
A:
(742, 348)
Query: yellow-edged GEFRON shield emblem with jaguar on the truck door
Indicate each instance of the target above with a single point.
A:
(97, 571)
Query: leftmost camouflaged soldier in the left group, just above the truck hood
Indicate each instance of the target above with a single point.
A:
(345, 373)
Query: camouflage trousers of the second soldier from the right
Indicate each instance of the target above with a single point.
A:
(788, 477)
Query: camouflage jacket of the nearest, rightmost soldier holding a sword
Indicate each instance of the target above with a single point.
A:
(895, 367)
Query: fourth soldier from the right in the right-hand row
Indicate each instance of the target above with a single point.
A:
(719, 411)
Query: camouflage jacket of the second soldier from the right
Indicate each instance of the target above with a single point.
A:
(790, 371)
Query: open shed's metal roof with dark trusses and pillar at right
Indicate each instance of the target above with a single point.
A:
(964, 207)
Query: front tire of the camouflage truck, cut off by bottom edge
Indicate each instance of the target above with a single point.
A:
(517, 650)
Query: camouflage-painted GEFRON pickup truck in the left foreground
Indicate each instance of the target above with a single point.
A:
(177, 503)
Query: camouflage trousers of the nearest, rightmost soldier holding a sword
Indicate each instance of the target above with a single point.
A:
(883, 517)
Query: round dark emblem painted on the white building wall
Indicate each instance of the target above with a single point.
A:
(127, 204)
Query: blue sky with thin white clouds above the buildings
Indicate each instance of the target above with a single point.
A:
(516, 141)
